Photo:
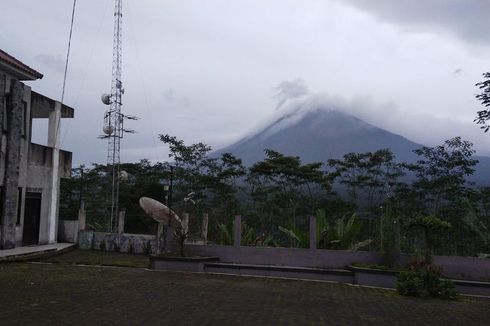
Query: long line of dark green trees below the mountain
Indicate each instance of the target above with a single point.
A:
(396, 204)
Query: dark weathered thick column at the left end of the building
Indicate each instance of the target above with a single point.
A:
(14, 110)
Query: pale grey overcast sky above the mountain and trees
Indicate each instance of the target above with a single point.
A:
(209, 71)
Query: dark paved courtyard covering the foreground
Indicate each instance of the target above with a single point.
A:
(66, 294)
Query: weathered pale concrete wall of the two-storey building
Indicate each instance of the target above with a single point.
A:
(31, 165)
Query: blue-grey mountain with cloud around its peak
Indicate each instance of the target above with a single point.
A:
(318, 135)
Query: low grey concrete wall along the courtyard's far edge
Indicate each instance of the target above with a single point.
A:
(465, 268)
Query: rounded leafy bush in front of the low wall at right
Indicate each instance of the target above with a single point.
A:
(424, 280)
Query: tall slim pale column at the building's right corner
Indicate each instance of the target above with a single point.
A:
(53, 142)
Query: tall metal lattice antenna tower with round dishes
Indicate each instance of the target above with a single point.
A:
(113, 118)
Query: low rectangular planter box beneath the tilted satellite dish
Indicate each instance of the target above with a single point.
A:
(180, 264)
